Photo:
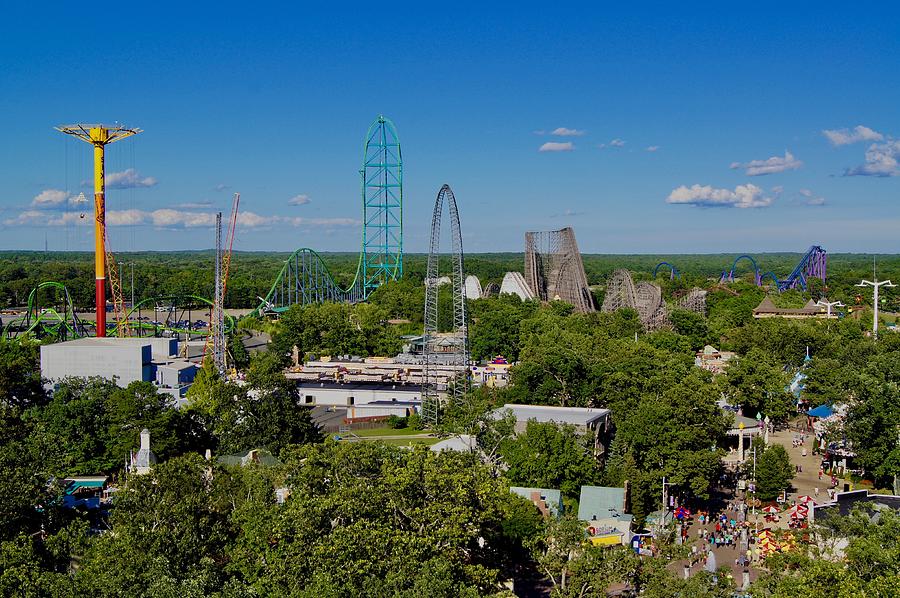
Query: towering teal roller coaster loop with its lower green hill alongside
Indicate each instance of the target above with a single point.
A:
(304, 278)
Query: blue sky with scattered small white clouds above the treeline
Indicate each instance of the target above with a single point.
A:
(759, 128)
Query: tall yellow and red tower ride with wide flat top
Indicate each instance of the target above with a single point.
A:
(99, 136)
